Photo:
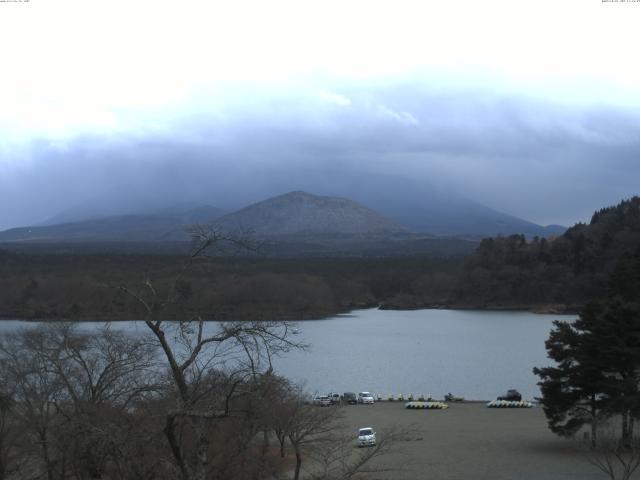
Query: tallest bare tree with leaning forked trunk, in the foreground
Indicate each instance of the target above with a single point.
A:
(193, 347)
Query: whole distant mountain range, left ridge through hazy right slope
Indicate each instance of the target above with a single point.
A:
(295, 213)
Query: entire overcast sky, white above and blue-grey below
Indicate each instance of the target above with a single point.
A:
(532, 108)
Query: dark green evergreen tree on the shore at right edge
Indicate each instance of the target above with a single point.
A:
(597, 372)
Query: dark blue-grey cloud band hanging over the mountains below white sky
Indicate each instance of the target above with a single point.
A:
(543, 161)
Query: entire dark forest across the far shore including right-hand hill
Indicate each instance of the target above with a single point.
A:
(556, 275)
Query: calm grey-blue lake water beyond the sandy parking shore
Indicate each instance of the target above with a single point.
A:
(476, 354)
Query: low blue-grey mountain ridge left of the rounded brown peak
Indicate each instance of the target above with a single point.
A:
(120, 228)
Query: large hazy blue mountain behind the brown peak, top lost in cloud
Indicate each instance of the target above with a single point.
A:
(419, 204)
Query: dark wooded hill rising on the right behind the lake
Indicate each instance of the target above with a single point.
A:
(565, 271)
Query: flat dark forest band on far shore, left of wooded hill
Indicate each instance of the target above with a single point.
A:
(76, 286)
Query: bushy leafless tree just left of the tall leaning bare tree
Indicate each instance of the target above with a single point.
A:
(102, 375)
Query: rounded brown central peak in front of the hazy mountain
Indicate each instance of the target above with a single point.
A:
(301, 213)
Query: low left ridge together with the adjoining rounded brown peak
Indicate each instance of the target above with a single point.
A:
(292, 214)
